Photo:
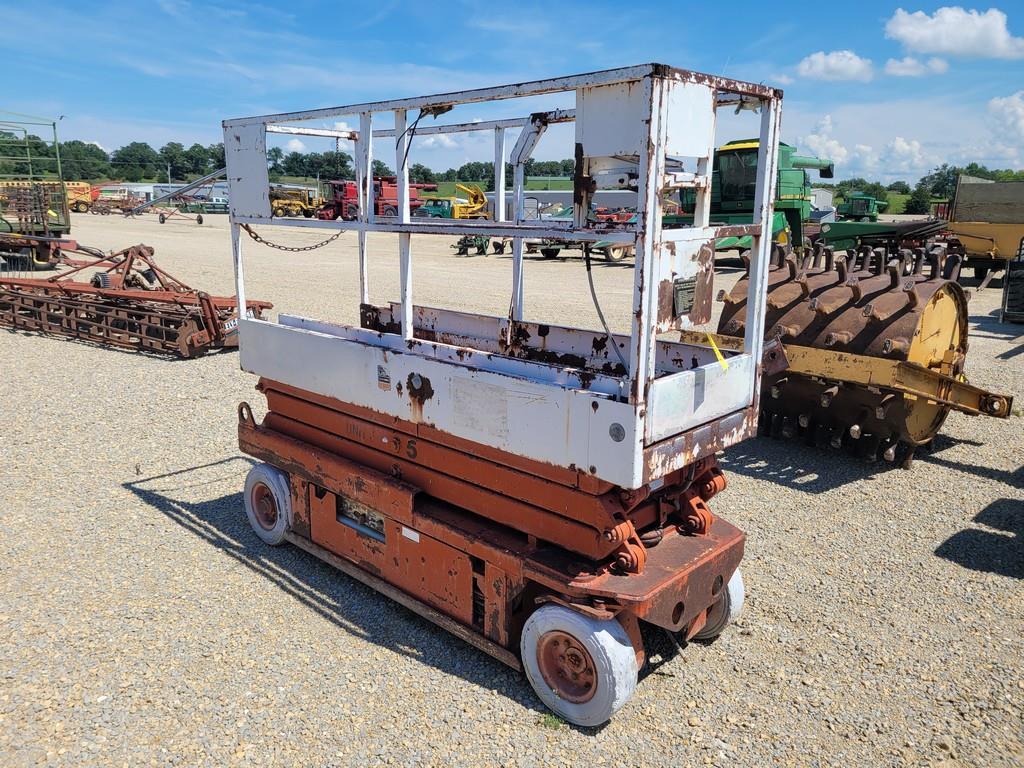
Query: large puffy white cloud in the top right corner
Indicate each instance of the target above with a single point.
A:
(956, 32)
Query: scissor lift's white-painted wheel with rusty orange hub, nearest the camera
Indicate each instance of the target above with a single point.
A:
(583, 669)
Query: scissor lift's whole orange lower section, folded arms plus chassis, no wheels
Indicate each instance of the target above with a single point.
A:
(475, 538)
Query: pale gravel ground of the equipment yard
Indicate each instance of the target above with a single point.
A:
(143, 622)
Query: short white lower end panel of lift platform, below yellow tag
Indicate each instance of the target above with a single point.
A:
(690, 399)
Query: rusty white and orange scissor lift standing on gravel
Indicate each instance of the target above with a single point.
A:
(536, 490)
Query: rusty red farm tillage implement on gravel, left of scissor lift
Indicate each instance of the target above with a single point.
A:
(129, 303)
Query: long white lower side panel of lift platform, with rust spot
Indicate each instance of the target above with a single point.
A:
(529, 419)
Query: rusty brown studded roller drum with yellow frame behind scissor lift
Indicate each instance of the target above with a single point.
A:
(877, 347)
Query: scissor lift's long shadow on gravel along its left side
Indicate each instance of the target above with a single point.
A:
(349, 605)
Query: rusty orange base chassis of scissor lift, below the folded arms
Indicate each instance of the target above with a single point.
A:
(477, 580)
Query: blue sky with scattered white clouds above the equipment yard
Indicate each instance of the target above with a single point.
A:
(886, 90)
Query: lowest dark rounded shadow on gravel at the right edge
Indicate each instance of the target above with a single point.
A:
(998, 550)
